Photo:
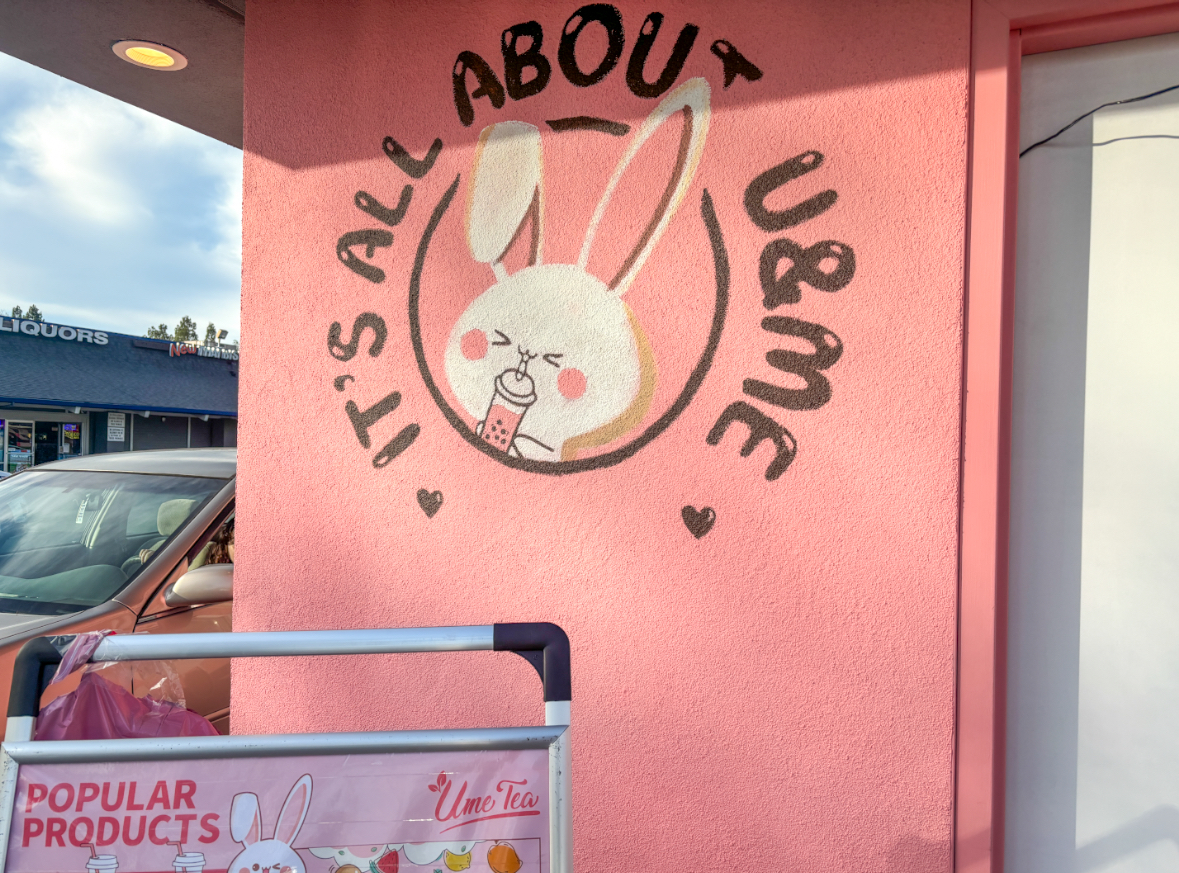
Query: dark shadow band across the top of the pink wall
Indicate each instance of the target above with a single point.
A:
(295, 70)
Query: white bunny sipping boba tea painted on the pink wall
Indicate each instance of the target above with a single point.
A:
(550, 360)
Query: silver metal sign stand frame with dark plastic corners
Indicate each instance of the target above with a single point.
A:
(544, 645)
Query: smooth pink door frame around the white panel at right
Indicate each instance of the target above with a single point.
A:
(1003, 32)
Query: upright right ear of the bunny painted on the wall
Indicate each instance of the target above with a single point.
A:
(693, 99)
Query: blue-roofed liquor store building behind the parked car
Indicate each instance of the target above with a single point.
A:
(68, 391)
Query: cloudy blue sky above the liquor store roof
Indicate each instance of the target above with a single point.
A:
(113, 218)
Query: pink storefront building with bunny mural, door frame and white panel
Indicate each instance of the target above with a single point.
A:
(741, 342)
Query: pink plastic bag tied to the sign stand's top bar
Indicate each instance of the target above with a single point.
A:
(100, 710)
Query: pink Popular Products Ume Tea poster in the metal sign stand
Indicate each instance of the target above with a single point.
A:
(486, 812)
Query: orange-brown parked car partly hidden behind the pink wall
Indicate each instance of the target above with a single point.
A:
(133, 542)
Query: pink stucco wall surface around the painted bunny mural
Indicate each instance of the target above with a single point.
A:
(775, 694)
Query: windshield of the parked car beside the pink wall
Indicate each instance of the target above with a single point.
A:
(73, 540)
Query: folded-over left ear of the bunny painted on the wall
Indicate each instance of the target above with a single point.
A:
(506, 191)
